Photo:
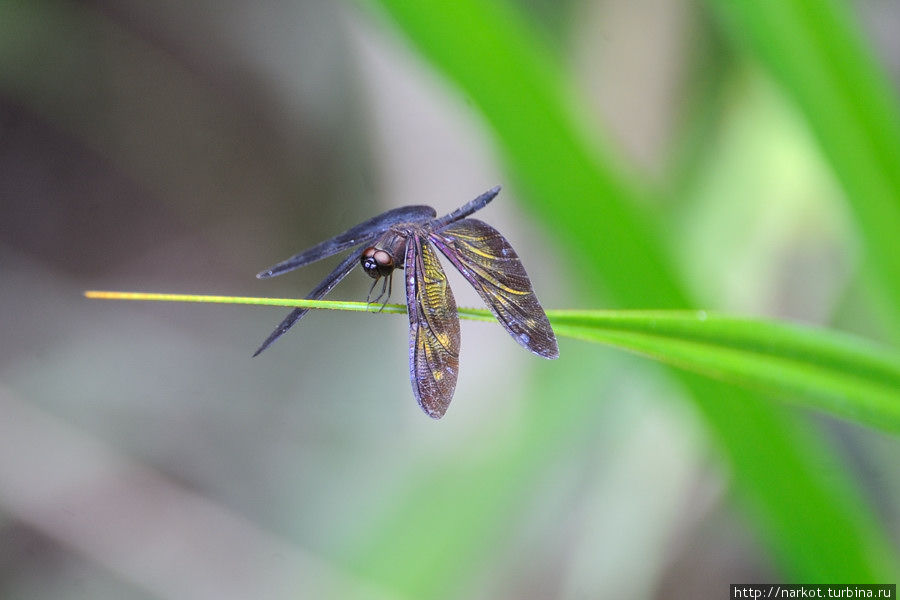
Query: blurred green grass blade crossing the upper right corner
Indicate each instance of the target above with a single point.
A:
(815, 51)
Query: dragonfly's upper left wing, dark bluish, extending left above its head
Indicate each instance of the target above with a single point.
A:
(361, 234)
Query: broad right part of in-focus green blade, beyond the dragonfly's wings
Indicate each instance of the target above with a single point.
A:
(815, 368)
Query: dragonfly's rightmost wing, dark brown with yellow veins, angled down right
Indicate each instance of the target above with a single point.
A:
(489, 263)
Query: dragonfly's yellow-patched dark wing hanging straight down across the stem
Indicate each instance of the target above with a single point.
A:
(433, 328)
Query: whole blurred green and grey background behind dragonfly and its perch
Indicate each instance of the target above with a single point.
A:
(182, 147)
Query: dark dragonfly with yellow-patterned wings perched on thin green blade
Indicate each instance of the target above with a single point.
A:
(405, 238)
